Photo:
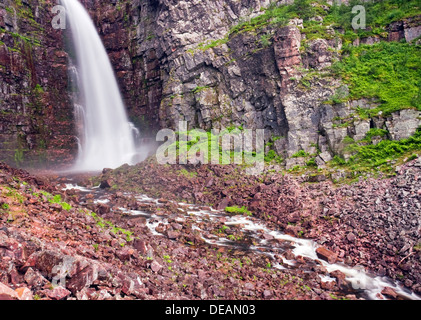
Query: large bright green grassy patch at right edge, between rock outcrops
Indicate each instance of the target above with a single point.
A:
(387, 71)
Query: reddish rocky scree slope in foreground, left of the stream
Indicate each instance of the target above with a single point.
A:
(53, 248)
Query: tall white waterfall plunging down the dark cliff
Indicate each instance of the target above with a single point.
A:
(107, 139)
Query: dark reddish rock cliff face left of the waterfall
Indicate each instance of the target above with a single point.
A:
(35, 119)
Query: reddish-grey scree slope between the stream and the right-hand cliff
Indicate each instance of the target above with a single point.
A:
(374, 223)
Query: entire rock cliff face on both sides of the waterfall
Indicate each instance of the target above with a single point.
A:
(178, 60)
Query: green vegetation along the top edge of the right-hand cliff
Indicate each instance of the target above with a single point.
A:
(379, 14)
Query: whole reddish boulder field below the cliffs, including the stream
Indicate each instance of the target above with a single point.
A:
(73, 238)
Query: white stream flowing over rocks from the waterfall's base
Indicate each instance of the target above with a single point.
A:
(248, 234)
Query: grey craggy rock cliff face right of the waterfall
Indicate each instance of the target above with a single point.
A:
(182, 62)
